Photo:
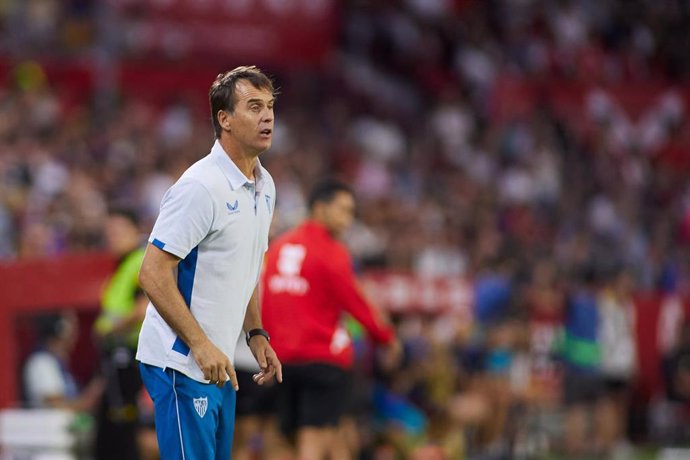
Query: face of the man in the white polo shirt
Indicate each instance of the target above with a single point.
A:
(251, 124)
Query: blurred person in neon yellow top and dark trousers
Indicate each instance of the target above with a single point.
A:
(123, 306)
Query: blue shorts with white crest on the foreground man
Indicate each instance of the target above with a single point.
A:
(194, 420)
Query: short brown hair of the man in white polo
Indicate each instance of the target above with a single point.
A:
(221, 96)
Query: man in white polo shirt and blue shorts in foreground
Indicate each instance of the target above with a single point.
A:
(201, 271)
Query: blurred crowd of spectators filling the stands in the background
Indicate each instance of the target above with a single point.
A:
(453, 122)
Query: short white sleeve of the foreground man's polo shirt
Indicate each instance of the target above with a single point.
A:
(185, 218)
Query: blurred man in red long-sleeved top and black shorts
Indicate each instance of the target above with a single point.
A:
(309, 279)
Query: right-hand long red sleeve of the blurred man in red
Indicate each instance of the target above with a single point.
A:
(346, 290)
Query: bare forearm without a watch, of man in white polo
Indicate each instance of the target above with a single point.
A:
(157, 280)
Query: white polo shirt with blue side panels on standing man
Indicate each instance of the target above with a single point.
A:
(217, 221)
